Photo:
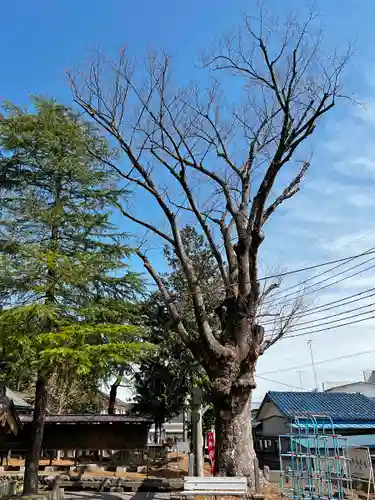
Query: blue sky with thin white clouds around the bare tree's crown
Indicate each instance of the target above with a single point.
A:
(333, 214)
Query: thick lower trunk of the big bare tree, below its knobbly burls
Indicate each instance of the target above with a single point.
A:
(234, 450)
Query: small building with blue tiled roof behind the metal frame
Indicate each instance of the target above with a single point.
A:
(347, 414)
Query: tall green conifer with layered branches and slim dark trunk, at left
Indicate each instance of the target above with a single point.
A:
(62, 267)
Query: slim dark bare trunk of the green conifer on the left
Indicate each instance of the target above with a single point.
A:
(30, 484)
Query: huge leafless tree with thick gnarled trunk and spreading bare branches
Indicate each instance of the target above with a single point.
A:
(227, 165)
